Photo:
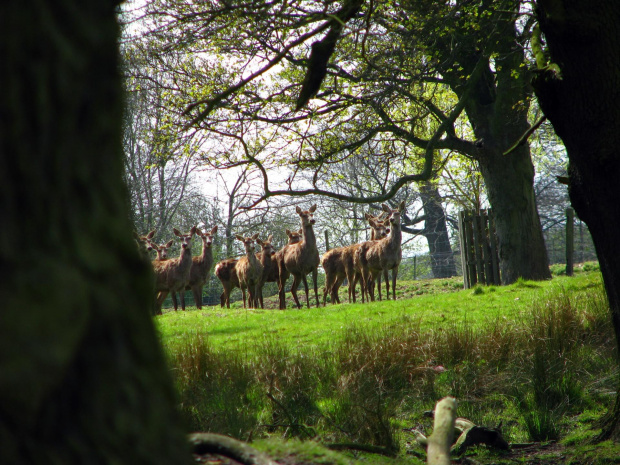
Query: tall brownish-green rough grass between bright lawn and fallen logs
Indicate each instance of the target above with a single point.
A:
(371, 384)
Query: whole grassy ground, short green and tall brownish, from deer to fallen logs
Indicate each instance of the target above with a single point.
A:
(536, 356)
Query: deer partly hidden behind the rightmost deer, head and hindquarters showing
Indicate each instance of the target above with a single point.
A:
(338, 263)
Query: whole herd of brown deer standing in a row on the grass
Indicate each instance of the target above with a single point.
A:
(366, 262)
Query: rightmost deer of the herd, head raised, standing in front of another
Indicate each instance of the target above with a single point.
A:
(382, 255)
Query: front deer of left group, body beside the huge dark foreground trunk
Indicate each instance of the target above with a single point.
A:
(171, 276)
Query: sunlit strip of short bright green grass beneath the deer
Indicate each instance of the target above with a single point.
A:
(434, 303)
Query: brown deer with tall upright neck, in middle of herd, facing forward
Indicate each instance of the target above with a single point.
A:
(300, 259)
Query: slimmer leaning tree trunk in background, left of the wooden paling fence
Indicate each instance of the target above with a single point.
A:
(436, 232)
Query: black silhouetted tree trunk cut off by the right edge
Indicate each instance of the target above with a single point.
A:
(582, 105)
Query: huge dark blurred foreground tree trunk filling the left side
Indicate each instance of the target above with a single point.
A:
(82, 376)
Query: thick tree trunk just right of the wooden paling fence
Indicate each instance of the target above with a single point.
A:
(498, 112)
